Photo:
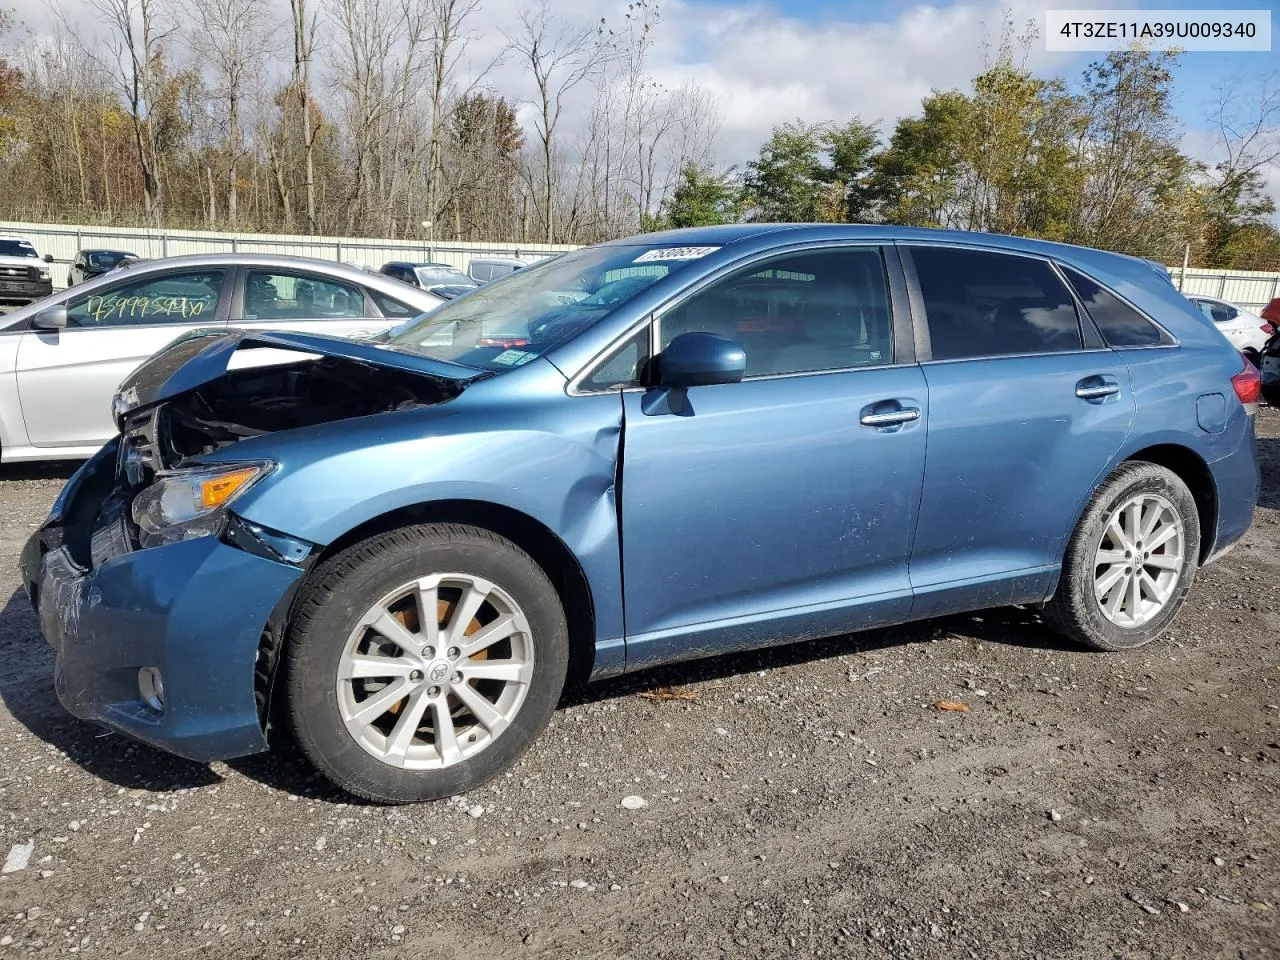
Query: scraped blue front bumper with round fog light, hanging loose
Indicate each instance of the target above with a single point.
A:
(194, 610)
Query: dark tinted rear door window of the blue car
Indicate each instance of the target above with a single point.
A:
(982, 304)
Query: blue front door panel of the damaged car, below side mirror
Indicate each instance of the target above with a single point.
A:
(767, 513)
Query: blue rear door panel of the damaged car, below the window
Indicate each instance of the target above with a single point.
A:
(1013, 455)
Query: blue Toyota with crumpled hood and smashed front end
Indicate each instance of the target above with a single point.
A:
(674, 446)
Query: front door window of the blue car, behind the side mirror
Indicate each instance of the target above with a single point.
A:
(820, 310)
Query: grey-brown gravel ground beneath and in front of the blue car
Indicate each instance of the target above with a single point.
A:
(807, 802)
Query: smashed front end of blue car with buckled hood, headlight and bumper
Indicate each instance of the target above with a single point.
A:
(144, 578)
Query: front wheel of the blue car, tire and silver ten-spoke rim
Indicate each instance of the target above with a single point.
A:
(382, 758)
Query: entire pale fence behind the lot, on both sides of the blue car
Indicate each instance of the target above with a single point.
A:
(1250, 290)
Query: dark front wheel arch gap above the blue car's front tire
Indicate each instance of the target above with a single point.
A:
(537, 540)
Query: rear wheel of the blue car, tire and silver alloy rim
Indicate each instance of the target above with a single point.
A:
(1095, 557)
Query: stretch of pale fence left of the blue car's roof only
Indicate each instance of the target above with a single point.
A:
(63, 243)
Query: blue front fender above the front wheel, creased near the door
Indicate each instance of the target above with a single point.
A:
(552, 460)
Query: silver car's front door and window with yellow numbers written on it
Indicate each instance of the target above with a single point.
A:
(67, 378)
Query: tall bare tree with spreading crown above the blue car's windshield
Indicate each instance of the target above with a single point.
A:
(561, 56)
